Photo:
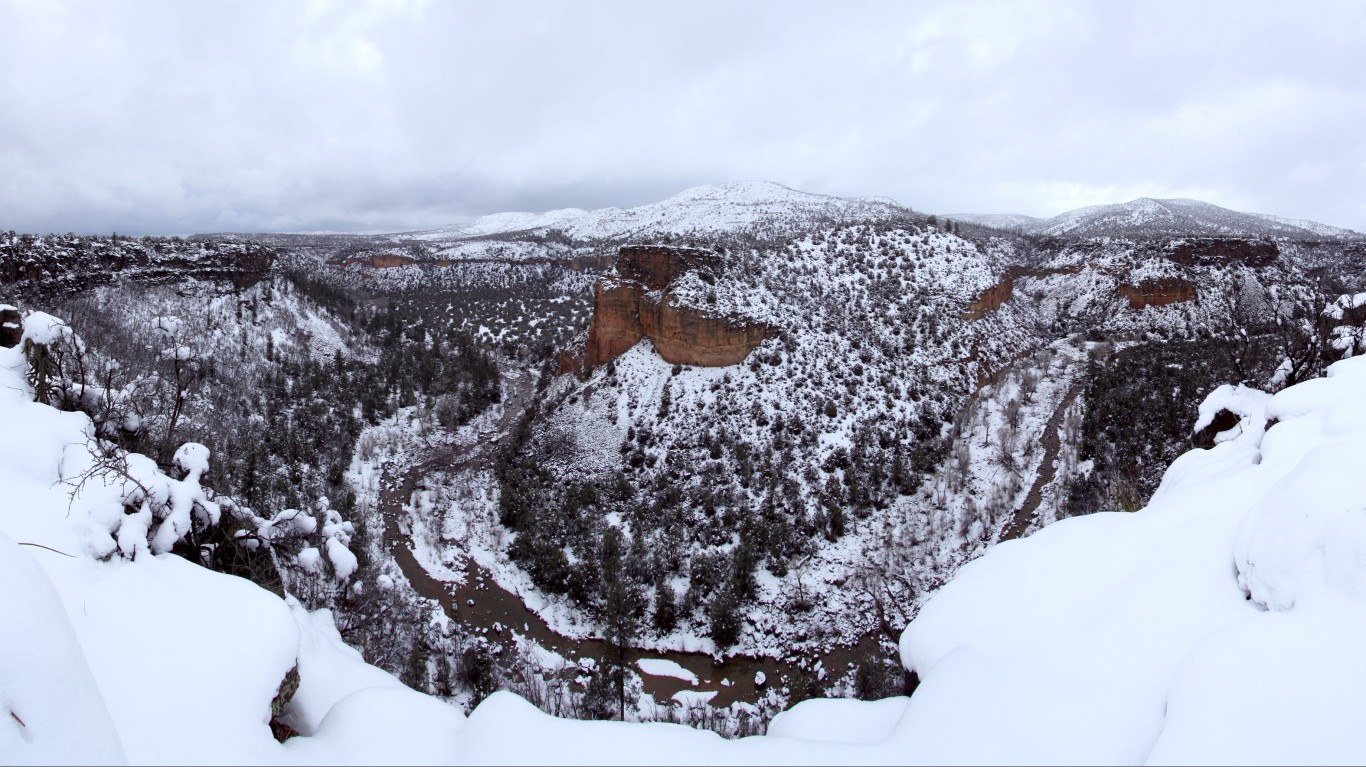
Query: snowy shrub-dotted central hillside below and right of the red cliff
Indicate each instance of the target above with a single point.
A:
(783, 468)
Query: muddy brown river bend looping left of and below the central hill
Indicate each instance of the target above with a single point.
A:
(483, 606)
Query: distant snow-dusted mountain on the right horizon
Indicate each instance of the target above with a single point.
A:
(1160, 218)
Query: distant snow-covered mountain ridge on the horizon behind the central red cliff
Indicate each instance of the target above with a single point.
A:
(711, 208)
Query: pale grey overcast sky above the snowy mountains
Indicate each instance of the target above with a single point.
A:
(182, 117)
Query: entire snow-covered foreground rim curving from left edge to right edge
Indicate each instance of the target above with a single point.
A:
(1218, 625)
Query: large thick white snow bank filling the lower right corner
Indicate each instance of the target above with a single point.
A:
(1115, 638)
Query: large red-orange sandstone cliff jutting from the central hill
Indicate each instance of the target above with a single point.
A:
(636, 304)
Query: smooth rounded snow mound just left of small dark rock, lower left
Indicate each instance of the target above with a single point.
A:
(185, 657)
